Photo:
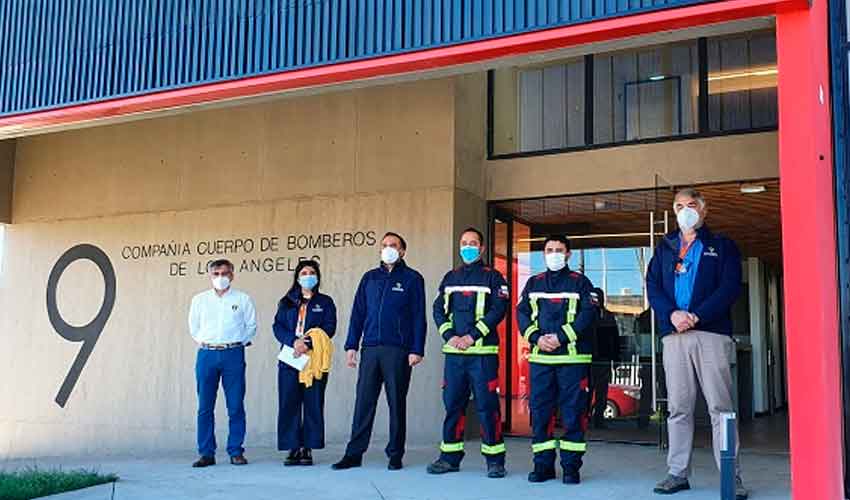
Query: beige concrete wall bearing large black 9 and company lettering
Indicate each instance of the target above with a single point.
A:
(364, 161)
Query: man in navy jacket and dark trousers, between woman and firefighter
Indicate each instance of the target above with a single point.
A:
(388, 321)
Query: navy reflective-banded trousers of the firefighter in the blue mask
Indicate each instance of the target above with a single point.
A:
(478, 375)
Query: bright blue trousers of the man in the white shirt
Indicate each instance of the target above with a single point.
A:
(227, 366)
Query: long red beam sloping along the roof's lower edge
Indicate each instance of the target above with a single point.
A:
(639, 24)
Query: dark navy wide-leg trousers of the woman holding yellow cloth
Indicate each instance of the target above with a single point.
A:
(301, 413)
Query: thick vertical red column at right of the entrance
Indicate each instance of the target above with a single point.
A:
(809, 254)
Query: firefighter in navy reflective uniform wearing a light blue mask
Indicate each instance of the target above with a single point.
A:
(471, 302)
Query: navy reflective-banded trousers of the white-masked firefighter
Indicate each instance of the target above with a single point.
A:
(563, 387)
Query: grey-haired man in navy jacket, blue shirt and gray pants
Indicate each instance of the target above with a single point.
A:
(694, 278)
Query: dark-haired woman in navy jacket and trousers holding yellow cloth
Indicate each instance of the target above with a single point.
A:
(301, 309)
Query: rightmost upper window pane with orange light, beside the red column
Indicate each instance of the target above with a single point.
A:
(742, 82)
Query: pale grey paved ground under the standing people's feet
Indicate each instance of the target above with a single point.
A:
(611, 471)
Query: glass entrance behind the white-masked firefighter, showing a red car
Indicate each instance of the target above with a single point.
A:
(625, 374)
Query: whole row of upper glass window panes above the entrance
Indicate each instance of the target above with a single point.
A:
(638, 94)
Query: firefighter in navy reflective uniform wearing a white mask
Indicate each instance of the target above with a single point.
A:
(556, 316)
